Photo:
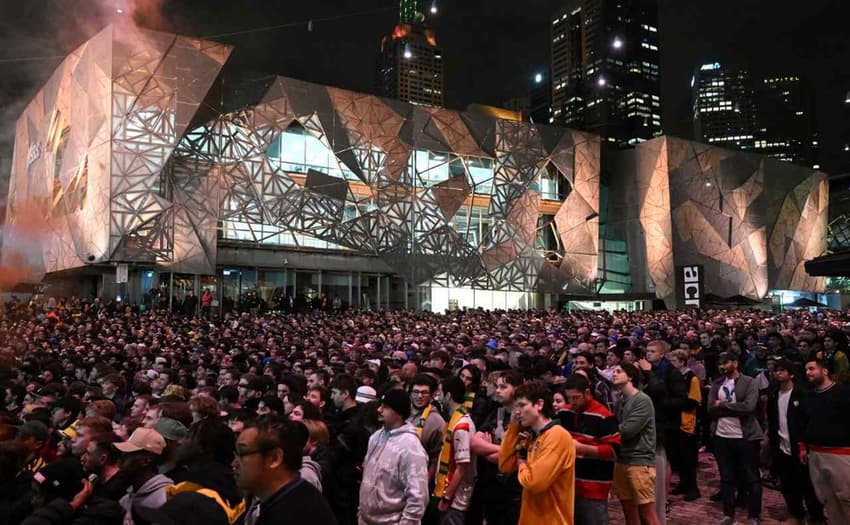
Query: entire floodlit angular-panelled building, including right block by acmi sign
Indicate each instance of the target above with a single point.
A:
(125, 159)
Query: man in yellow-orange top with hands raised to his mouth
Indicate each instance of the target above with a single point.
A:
(543, 454)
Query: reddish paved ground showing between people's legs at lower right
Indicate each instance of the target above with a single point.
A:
(704, 511)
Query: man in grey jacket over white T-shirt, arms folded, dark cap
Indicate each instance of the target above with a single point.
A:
(732, 404)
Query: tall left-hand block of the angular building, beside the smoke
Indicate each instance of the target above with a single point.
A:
(93, 145)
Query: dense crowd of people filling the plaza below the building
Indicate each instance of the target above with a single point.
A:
(118, 416)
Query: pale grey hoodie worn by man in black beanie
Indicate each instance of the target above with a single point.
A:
(395, 478)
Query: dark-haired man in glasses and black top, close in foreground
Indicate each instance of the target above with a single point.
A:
(269, 454)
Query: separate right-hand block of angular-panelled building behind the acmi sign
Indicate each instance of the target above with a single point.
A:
(749, 220)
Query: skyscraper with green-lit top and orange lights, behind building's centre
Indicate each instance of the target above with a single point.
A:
(410, 65)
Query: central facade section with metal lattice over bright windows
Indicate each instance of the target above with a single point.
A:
(399, 214)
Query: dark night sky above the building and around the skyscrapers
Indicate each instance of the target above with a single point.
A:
(491, 49)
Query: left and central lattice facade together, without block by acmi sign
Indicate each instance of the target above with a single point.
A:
(106, 152)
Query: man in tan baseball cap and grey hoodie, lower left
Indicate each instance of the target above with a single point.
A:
(142, 454)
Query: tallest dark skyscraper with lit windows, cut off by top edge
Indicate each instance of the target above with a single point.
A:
(605, 69)
